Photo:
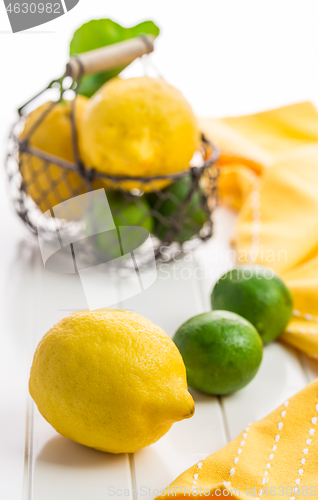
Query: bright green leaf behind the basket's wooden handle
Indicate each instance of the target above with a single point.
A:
(99, 33)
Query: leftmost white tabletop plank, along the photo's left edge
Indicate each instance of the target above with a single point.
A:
(16, 295)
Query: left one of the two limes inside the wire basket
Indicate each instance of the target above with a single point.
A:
(126, 211)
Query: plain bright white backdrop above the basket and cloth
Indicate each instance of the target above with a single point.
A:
(228, 57)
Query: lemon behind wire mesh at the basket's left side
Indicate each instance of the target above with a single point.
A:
(49, 184)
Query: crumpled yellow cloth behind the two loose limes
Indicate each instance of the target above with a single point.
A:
(269, 171)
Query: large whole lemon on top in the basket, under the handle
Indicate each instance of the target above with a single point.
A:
(138, 127)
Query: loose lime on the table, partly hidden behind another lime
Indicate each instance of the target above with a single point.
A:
(257, 294)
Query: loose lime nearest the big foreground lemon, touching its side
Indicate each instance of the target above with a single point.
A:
(222, 351)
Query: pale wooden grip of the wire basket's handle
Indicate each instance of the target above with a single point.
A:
(109, 57)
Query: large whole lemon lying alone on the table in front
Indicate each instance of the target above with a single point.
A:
(110, 379)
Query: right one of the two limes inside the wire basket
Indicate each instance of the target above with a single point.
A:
(192, 218)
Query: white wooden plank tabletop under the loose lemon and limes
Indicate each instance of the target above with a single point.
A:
(36, 463)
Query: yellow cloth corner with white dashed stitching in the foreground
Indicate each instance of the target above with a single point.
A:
(275, 457)
